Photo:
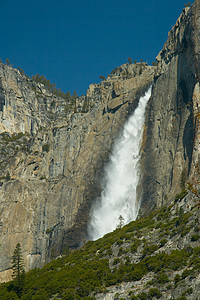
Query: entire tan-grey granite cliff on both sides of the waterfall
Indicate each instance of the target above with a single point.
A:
(52, 158)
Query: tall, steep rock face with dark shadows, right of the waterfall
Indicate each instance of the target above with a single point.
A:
(171, 146)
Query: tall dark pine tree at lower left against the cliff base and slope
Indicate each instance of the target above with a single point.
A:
(17, 264)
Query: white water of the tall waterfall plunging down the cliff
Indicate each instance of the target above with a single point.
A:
(118, 197)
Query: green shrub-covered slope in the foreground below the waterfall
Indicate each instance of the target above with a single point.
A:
(163, 248)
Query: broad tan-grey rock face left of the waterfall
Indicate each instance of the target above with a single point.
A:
(51, 160)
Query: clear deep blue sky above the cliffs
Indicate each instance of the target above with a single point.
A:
(73, 42)
